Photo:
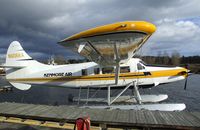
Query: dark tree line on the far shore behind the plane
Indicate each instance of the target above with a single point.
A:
(192, 62)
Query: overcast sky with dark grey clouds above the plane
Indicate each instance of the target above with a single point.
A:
(39, 24)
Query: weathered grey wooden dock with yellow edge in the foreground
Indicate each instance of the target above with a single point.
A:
(60, 116)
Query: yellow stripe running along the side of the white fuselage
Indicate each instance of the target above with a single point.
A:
(132, 75)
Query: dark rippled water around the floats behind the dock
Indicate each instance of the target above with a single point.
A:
(58, 96)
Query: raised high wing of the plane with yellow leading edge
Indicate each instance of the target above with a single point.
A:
(110, 44)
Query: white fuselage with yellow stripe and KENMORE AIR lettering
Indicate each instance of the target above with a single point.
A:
(90, 74)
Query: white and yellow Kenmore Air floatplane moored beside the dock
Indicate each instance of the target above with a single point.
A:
(111, 49)
